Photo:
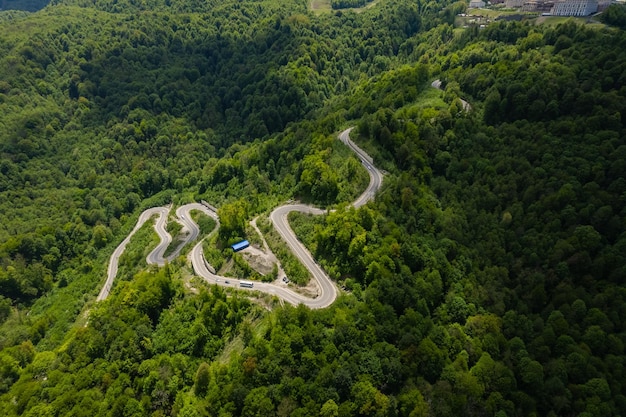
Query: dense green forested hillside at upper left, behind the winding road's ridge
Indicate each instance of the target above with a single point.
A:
(141, 103)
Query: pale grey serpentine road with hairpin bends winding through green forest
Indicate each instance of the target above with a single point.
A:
(327, 289)
